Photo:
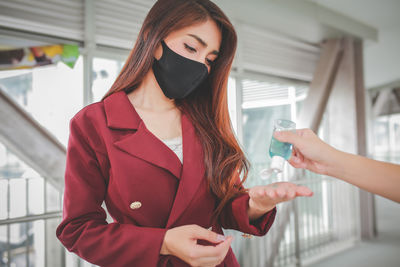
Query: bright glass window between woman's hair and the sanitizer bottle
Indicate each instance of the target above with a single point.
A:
(264, 102)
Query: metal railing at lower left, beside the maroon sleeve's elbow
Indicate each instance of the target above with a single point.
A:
(29, 210)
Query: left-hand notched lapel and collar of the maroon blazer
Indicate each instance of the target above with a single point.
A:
(121, 115)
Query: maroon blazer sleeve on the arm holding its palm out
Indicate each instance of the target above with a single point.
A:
(234, 216)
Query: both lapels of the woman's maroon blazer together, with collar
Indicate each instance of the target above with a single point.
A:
(121, 115)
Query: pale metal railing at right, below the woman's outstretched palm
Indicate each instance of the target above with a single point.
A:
(306, 229)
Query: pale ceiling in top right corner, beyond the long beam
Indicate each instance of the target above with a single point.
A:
(381, 58)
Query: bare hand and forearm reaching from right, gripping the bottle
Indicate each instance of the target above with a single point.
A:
(312, 153)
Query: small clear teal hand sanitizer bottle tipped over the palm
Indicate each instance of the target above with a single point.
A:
(278, 151)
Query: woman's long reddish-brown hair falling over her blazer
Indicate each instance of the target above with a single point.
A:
(207, 106)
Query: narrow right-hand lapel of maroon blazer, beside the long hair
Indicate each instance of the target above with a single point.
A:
(192, 173)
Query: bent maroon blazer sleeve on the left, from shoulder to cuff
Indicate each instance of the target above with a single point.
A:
(84, 229)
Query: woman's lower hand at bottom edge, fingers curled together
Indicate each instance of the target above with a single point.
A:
(182, 242)
